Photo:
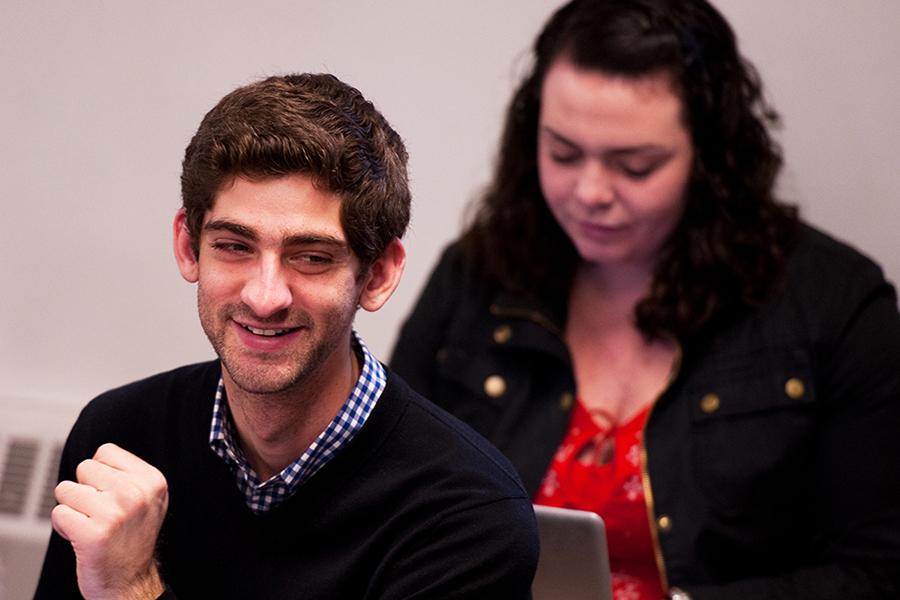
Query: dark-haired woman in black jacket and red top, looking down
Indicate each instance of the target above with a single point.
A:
(638, 323)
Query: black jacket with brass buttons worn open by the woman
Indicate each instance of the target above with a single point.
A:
(771, 462)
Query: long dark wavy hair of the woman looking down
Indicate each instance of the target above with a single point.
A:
(734, 234)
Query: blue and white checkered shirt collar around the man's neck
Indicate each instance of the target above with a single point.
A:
(265, 495)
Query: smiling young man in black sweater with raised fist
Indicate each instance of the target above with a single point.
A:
(296, 465)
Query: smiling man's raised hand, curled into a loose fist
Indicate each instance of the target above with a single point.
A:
(112, 518)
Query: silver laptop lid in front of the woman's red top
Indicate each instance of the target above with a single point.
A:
(574, 560)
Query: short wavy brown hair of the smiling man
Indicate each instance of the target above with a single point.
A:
(306, 123)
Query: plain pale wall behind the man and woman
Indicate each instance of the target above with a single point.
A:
(100, 98)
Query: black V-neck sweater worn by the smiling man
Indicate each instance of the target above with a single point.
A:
(415, 506)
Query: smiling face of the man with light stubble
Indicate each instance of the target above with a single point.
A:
(278, 285)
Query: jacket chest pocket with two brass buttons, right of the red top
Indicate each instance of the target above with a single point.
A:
(753, 427)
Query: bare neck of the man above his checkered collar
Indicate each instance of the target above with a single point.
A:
(275, 429)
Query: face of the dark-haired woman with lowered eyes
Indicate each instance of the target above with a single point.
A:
(614, 160)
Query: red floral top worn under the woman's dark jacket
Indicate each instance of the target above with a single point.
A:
(598, 469)
